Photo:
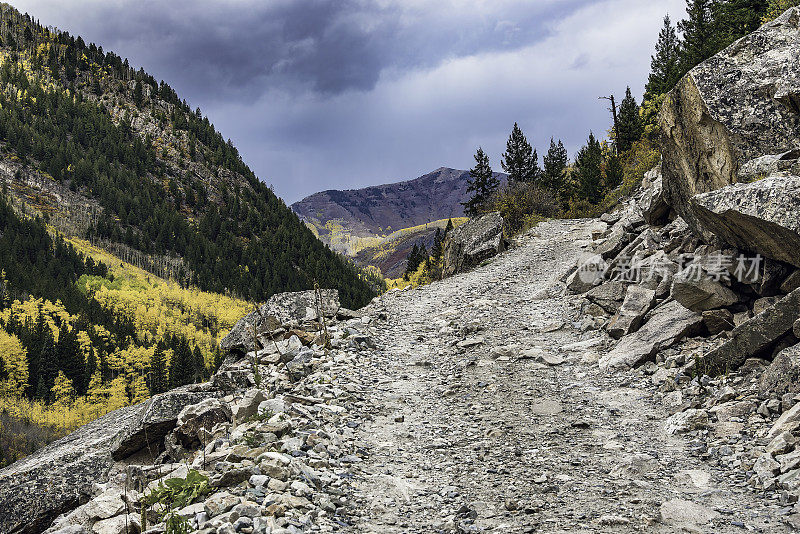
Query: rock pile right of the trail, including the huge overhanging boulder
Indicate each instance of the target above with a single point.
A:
(698, 275)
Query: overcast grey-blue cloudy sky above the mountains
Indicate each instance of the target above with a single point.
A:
(338, 94)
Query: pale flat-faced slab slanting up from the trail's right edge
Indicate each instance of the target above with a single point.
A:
(667, 324)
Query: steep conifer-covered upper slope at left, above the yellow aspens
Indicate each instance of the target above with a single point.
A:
(146, 172)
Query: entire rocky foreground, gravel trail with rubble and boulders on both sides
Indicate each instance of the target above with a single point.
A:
(637, 372)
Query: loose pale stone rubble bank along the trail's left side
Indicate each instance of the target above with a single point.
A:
(276, 442)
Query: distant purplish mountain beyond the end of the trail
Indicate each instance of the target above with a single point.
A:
(353, 219)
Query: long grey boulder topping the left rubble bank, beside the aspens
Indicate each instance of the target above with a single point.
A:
(283, 308)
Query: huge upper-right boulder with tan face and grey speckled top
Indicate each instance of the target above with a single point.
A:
(738, 106)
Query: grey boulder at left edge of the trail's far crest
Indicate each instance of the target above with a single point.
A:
(473, 242)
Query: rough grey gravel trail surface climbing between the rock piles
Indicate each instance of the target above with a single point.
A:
(471, 429)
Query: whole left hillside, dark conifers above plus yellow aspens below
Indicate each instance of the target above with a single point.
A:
(132, 237)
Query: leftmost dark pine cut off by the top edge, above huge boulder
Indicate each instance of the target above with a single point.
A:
(701, 38)
